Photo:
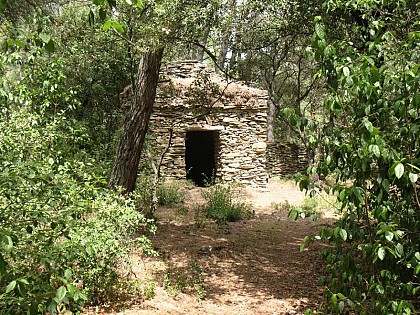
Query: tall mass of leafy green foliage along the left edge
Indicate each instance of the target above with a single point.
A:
(62, 234)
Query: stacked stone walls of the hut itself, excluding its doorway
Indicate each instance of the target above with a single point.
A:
(240, 115)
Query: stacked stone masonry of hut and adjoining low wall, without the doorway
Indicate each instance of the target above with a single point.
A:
(191, 97)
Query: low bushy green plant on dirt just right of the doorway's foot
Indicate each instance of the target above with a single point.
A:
(221, 206)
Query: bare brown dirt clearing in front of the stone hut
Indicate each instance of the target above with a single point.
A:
(248, 267)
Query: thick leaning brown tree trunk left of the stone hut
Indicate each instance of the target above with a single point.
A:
(124, 172)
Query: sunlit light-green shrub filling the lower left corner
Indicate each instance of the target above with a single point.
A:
(63, 234)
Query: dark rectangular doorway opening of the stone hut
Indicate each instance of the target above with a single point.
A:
(200, 156)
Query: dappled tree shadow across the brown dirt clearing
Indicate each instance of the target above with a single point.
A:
(249, 262)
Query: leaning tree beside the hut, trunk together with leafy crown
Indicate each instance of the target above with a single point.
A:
(161, 24)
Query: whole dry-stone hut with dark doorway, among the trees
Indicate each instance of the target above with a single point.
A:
(217, 130)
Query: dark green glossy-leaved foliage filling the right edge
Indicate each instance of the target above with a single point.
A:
(371, 140)
